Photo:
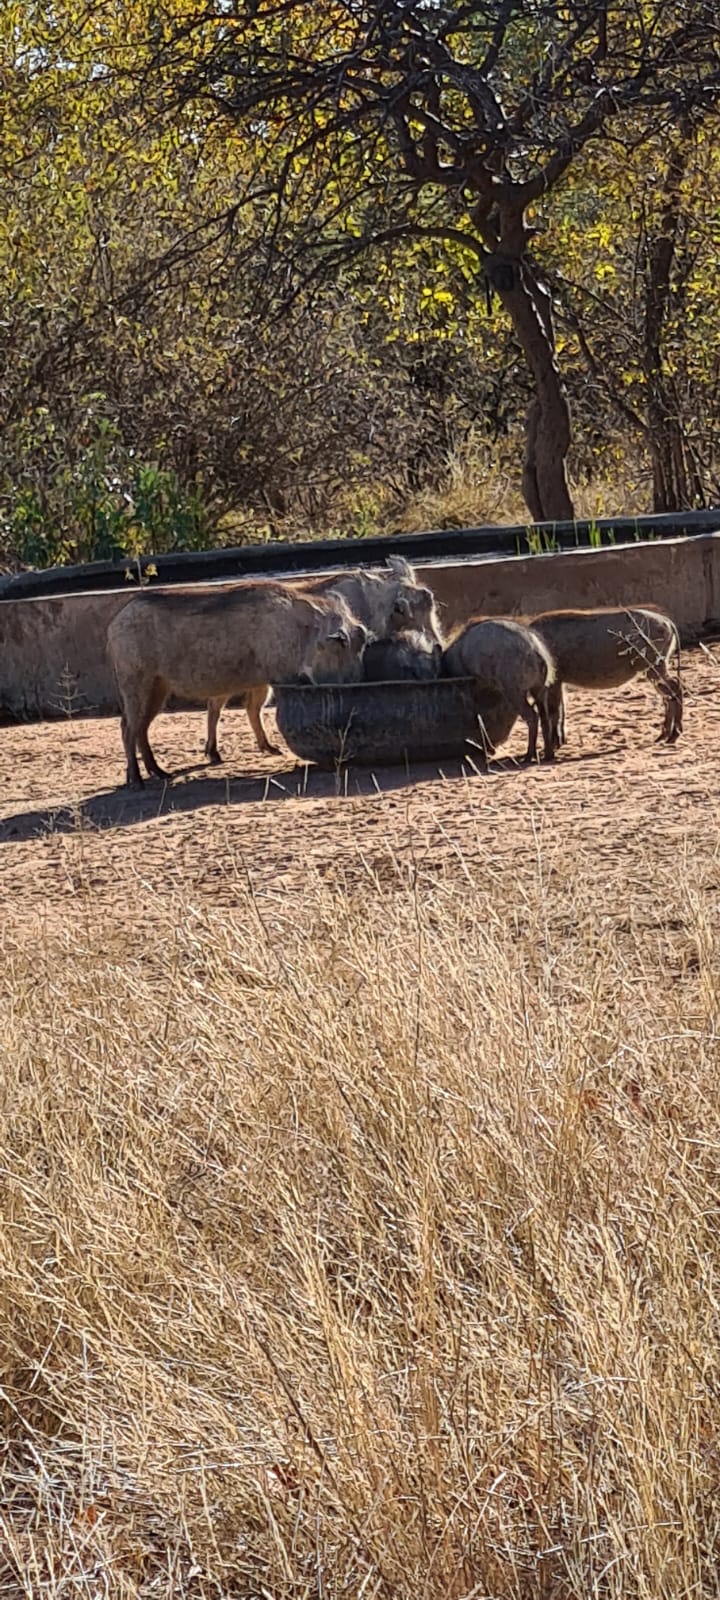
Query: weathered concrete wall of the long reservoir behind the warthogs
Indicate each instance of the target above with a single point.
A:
(54, 650)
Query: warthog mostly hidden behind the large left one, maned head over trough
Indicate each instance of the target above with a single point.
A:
(386, 602)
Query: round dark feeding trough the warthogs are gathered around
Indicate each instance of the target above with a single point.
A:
(391, 724)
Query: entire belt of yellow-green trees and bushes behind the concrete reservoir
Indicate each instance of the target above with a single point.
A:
(257, 266)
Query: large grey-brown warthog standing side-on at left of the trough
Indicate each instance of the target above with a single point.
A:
(212, 647)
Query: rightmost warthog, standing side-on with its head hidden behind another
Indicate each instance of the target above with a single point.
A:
(607, 647)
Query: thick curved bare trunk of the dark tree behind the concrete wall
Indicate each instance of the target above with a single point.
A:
(548, 425)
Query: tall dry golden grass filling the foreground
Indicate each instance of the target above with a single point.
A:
(367, 1246)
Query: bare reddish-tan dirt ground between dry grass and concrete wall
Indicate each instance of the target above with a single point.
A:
(71, 836)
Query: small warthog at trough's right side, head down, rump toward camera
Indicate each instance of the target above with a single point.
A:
(508, 660)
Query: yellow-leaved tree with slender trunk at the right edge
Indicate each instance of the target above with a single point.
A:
(641, 303)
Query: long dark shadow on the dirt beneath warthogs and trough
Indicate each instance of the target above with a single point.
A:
(193, 790)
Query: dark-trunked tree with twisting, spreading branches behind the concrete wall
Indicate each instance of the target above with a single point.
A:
(423, 119)
